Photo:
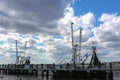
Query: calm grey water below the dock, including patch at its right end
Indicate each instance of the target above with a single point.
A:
(116, 76)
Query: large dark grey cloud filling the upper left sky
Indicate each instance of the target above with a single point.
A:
(31, 16)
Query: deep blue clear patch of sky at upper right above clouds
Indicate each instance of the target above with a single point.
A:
(96, 6)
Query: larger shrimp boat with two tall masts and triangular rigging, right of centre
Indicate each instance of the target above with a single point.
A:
(80, 69)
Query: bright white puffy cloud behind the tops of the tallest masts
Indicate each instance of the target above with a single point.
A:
(84, 22)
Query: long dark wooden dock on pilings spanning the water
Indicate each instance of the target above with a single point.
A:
(57, 70)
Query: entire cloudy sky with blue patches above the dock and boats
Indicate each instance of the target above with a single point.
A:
(45, 25)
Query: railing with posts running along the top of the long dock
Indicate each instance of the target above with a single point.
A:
(66, 66)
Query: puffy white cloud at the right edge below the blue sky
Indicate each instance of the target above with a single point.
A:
(108, 32)
